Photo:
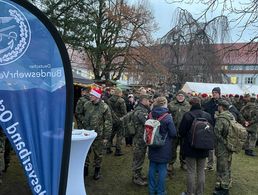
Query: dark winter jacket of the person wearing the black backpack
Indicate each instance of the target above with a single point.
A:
(184, 132)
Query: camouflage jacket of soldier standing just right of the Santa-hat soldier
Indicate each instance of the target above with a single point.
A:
(118, 107)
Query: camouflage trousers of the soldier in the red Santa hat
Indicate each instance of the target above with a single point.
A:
(97, 149)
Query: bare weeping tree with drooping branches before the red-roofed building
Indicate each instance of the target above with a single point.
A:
(192, 54)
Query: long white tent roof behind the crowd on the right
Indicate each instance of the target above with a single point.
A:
(190, 87)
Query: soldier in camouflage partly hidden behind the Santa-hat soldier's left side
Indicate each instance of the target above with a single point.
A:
(79, 112)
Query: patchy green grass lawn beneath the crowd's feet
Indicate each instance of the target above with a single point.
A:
(116, 178)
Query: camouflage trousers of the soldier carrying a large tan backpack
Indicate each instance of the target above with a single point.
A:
(224, 160)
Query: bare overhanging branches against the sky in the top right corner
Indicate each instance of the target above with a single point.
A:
(243, 14)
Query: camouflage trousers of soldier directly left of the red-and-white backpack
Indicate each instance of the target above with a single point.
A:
(139, 152)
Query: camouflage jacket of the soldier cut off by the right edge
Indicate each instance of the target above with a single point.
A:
(250, 114)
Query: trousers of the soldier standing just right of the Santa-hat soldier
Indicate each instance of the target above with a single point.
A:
(118, 131)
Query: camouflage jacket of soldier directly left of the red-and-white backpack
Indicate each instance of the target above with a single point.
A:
(140, 116)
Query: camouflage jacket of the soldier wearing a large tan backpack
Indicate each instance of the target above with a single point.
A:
(221, 129)
